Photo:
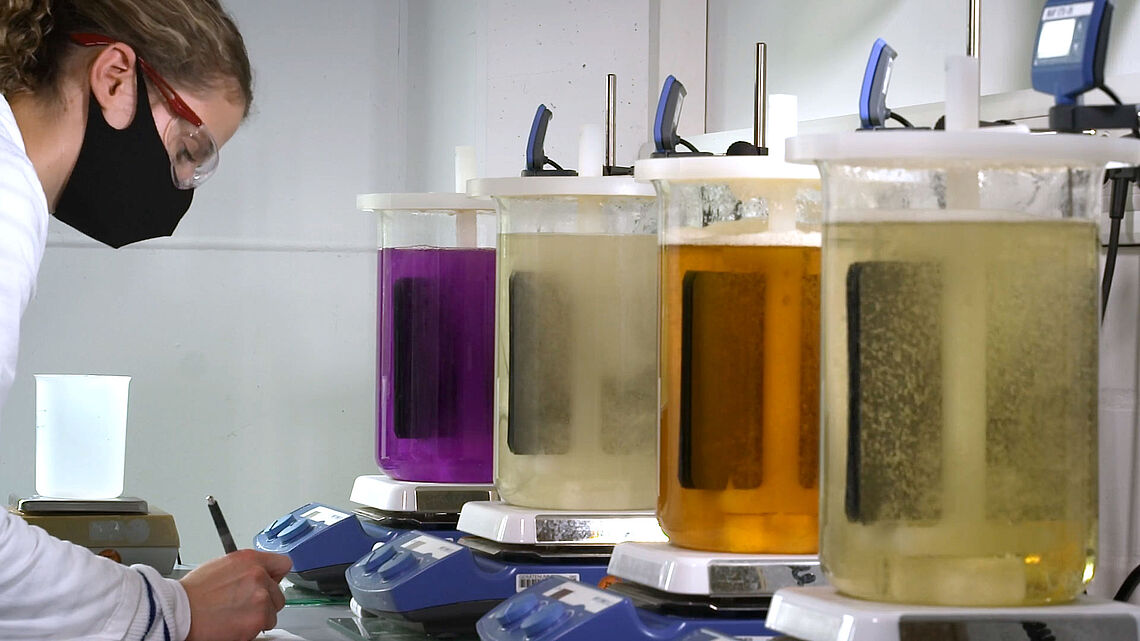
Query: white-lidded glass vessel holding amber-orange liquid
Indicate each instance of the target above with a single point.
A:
(739, 353)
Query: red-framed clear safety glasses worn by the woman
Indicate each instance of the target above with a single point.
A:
(193, 151)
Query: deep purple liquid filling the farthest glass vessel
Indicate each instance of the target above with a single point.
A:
(436, 342)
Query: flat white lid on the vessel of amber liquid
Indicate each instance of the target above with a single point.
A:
(702, 169)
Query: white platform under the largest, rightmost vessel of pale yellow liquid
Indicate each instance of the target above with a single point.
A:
(821, 614)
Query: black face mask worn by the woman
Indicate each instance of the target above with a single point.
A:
(121, 191)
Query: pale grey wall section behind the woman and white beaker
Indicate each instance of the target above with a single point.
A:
(251, 334)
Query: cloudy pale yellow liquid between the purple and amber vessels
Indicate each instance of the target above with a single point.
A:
(576, 371)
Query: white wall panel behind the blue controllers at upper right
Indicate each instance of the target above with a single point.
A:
(818, 51)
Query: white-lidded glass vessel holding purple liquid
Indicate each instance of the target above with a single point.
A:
(435, 336)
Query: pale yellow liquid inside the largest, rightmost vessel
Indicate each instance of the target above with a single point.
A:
(960, 411)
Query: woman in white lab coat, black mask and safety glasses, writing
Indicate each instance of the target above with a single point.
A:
(112, 113)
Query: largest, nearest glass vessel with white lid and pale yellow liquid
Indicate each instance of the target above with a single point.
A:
(960, 363)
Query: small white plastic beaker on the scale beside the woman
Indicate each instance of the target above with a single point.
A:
(80, 435)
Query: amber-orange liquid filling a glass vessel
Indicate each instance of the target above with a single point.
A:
(740, 380)
